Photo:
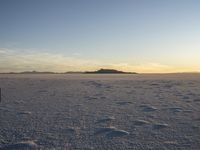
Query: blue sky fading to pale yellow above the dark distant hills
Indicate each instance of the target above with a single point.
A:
(145, 36)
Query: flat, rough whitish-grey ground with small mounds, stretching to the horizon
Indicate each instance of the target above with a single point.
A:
(99, 112)
